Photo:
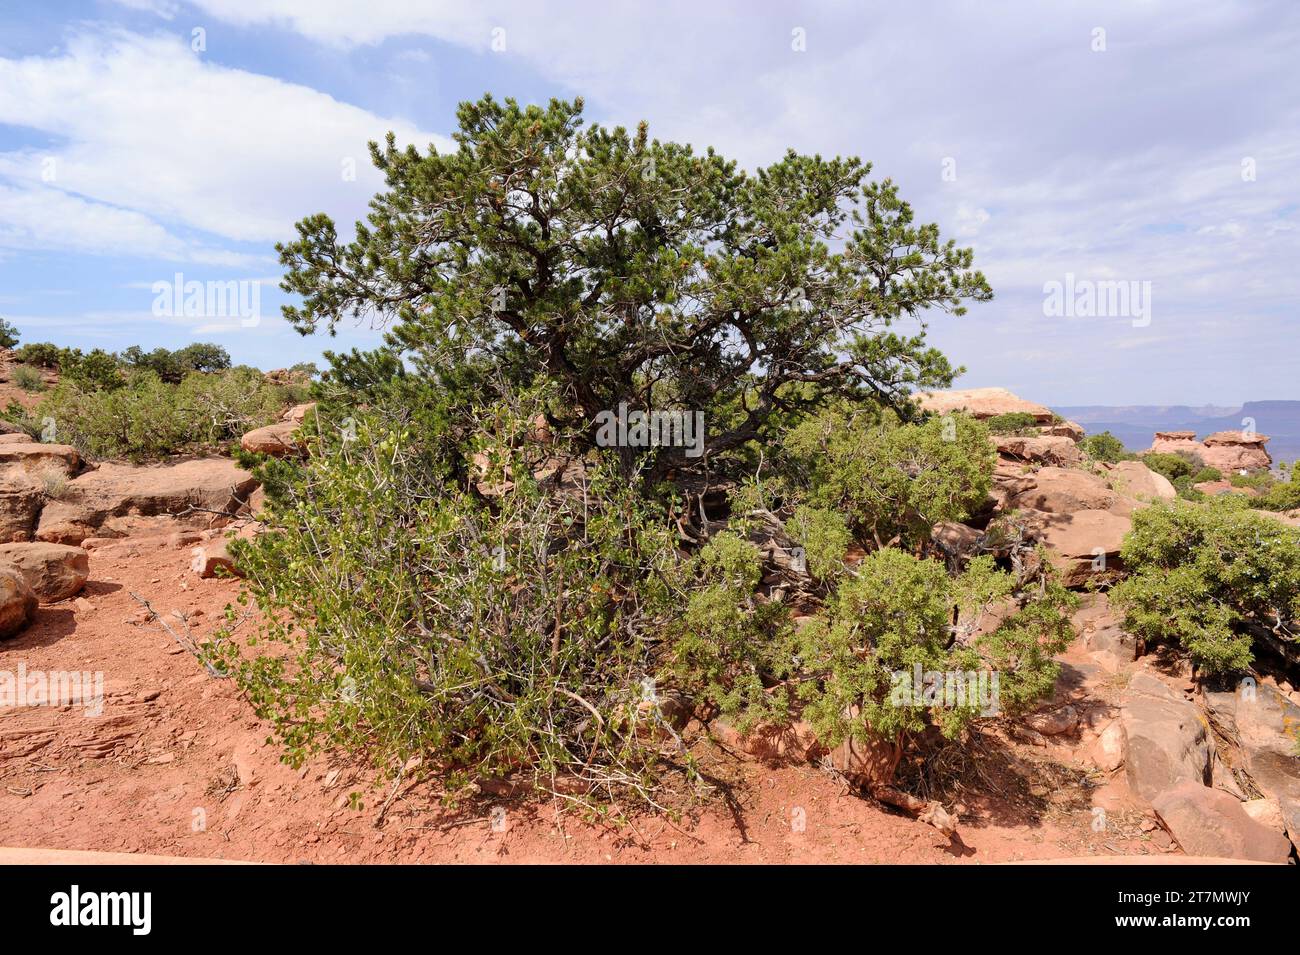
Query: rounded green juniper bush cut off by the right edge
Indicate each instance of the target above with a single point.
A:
(1202, 575)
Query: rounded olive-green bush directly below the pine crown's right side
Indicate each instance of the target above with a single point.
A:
(891, 483)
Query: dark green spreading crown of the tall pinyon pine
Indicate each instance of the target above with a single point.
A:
(619, 268)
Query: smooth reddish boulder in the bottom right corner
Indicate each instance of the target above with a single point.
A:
(1211, 823)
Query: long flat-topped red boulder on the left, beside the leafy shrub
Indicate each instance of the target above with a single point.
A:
(116, 497)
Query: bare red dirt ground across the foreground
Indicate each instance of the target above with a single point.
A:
(176, 748)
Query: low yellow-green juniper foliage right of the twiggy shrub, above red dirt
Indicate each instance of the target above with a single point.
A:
(852, 667)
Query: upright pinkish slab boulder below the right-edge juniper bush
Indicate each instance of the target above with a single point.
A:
(1165, 739)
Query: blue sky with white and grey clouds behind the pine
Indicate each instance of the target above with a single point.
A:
(1151, 145)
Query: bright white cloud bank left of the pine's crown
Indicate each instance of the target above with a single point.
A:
(149, 133)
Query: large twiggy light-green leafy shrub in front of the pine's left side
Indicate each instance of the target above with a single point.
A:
(487, 636)
